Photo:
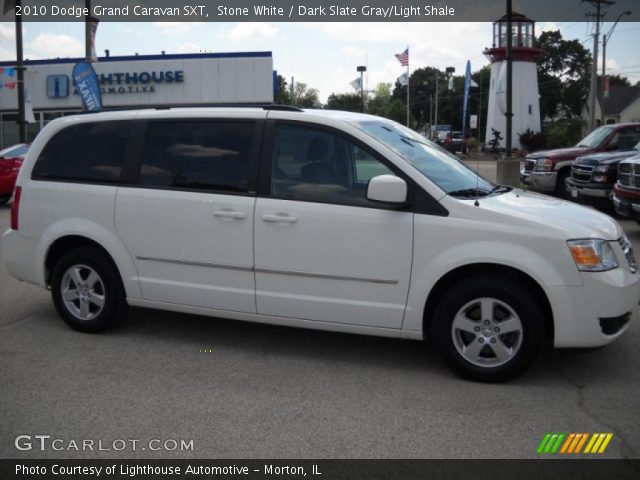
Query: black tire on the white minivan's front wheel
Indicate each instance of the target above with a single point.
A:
(523, 345)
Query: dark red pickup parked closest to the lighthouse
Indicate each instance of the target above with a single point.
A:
(548, 170)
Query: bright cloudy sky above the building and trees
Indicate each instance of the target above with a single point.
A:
(322, 55)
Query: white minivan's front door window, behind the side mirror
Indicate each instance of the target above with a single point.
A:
(311, 164)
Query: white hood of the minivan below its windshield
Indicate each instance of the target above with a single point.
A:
(530, 210)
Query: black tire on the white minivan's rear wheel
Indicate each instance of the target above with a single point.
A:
(109, 287)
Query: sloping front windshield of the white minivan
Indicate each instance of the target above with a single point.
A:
(434, 162)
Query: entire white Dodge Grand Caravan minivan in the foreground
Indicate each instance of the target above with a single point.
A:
(318, 219)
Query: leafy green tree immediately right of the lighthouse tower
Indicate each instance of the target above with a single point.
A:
(564, 72)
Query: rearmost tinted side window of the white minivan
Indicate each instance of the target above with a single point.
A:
(90, 152)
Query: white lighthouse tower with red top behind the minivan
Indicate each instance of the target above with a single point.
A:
(526, 102)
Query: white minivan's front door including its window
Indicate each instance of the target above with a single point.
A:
(324, 252)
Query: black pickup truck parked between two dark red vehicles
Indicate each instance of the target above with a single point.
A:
(593, 176)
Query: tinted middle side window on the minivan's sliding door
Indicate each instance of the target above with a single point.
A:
(198, 155)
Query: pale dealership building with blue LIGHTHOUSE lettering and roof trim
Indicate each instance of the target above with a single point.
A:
(138, 81)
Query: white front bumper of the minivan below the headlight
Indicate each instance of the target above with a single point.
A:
(598, 312)
